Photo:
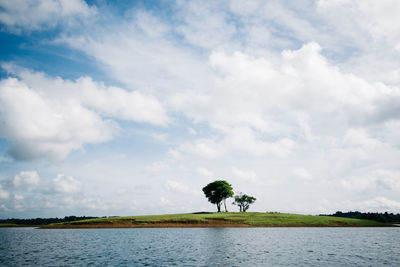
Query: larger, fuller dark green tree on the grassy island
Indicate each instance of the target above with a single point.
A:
(218, 191)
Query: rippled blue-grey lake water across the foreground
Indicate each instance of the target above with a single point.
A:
(201, 247)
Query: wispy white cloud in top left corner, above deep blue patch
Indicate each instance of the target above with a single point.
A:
(41, 14)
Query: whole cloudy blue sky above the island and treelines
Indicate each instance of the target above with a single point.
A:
(131, 107)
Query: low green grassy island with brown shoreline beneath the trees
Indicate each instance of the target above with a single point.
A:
(229, 219)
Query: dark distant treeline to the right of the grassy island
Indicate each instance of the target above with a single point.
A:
(380, 217)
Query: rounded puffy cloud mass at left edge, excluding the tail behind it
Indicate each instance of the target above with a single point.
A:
(38, 126)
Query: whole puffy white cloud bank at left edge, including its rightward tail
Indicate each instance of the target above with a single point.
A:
(48, 118)
